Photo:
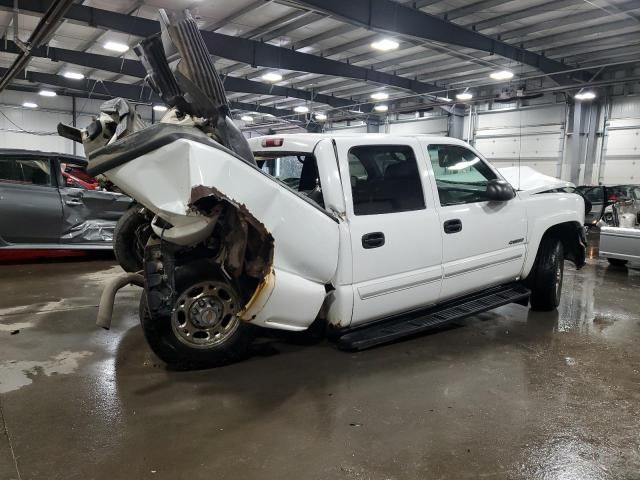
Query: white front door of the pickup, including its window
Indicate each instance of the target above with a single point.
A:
(484, 242)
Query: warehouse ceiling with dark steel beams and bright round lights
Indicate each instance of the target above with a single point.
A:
(320, 53)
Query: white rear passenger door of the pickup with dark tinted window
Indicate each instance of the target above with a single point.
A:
(396, 241)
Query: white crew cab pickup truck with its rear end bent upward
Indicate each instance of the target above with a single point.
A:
(377, 236)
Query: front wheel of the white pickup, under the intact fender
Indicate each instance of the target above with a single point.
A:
(546, 281)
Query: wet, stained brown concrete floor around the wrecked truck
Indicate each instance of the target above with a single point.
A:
(509, 394)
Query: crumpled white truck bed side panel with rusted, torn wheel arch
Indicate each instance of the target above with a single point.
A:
(186, 179)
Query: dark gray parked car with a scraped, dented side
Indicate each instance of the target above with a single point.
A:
(48, 201)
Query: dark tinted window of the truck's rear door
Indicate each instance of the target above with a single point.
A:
(384, 179)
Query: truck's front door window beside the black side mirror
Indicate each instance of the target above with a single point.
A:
(461, 176)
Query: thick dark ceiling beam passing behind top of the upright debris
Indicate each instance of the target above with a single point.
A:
(242, 50)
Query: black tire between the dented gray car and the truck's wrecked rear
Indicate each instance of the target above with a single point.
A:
(129, 238)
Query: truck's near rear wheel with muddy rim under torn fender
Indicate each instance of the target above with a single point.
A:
(203, 330)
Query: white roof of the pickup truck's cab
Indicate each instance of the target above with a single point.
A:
(306, 142)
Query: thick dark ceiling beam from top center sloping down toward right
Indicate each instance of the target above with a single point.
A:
(390, 17)
